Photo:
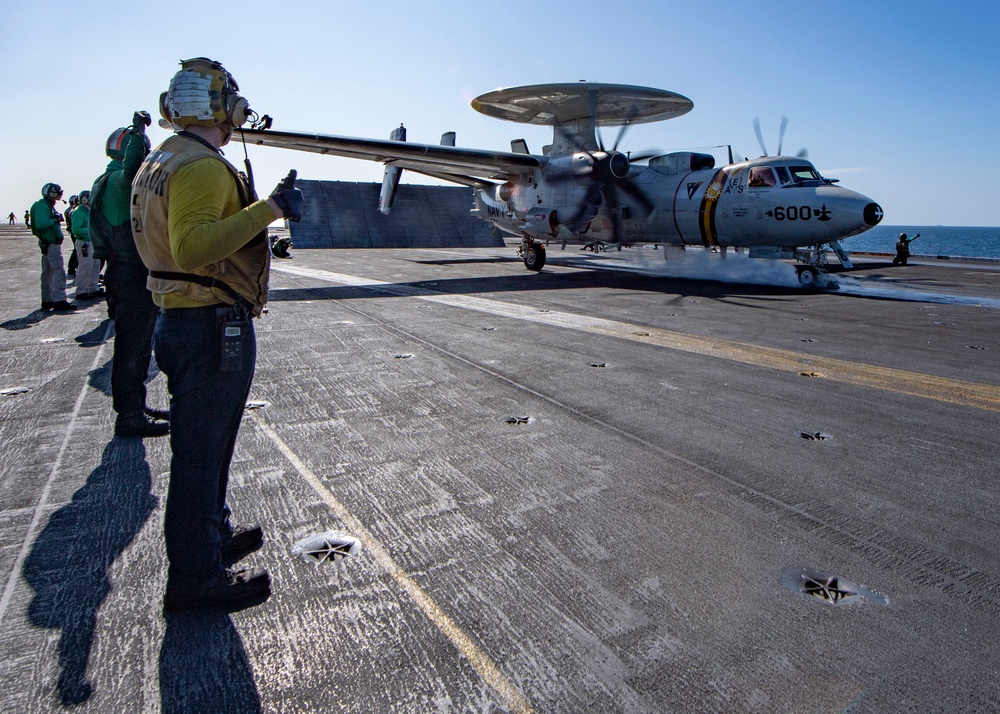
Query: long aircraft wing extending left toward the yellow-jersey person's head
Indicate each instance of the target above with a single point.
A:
(465, 166)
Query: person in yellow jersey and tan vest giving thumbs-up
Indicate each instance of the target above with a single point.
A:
(202, 233)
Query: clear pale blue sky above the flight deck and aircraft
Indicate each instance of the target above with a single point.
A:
(898, 100)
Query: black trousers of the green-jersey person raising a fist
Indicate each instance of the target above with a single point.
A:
(131, 306)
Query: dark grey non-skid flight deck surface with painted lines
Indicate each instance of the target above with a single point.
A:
(588, 489)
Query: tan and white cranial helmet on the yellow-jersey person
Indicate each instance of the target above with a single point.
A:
(203, 93)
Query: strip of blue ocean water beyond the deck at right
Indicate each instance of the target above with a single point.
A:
(952, 241)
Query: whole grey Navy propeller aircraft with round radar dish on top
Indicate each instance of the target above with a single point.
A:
(581, 191)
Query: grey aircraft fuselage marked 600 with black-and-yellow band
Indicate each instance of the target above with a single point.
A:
(771, 201)
